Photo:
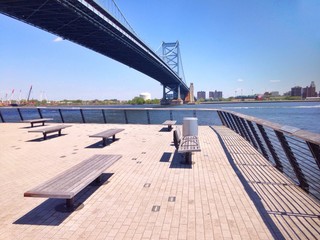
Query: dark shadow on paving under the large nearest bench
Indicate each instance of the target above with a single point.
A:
(53, 212)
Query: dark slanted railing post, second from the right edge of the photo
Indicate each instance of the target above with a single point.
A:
(293, 161)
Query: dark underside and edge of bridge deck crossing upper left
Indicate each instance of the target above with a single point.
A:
(88, 24)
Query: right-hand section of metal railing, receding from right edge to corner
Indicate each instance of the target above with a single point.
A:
(294, 152)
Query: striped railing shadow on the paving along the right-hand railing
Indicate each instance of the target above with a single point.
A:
(288, 211)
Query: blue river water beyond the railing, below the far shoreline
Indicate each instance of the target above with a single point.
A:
(303, 115)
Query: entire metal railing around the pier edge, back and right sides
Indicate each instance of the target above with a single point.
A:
(294, 152)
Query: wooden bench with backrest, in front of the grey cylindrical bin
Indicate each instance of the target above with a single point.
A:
(186, 145)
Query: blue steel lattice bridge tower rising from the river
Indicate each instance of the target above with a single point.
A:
(170, 54)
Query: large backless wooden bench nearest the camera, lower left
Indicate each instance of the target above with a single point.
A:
(70, 182)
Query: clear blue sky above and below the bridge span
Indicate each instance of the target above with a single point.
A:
(233, 46)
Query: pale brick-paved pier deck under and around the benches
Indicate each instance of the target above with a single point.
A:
(230, 191)
